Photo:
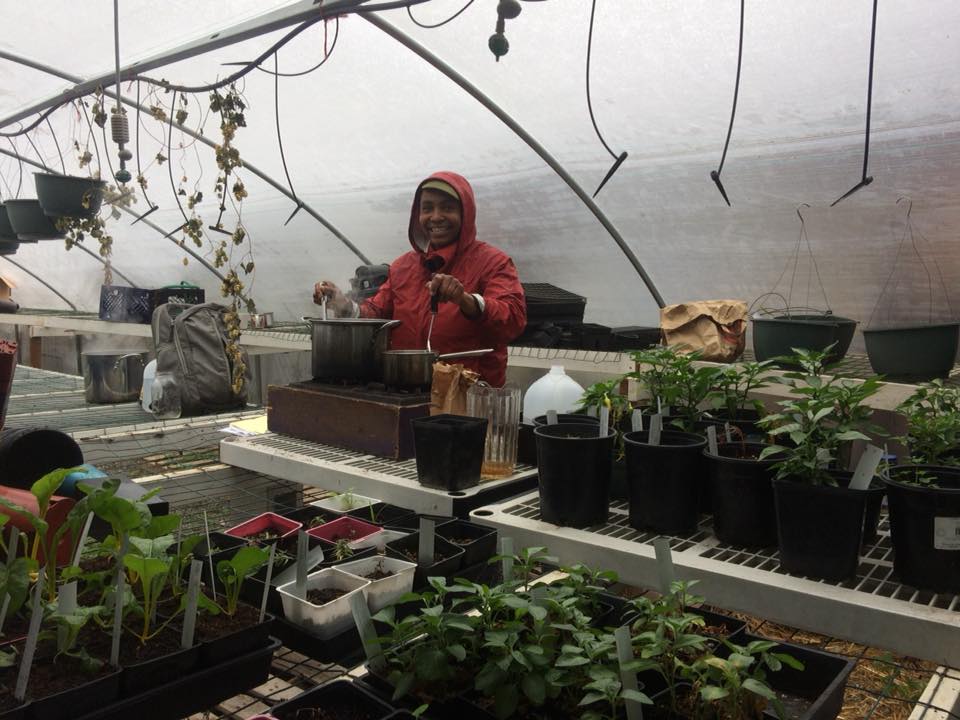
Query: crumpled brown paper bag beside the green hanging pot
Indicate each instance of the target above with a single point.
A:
(718, 328)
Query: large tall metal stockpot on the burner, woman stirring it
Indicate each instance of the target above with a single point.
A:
(349, 348)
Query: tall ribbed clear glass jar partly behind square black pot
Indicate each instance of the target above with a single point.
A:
(501, 408)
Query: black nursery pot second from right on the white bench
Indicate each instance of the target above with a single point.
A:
(819, 528)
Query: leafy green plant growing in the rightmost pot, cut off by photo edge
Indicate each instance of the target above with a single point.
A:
(933, 424)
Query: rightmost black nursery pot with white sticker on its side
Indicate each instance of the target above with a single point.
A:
(925, 527)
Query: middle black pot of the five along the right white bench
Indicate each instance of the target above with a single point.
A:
(742, 490)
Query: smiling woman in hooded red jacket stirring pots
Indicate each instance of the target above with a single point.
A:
(481, 299)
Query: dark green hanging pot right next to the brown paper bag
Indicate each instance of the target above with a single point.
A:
(777, 336)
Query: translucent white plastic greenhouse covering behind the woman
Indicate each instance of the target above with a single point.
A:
(362, 118)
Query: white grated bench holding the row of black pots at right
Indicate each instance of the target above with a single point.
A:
(873, 608)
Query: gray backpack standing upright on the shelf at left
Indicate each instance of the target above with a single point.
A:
(190, 342)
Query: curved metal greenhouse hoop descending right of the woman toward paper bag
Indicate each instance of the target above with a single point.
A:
(478, 95)
